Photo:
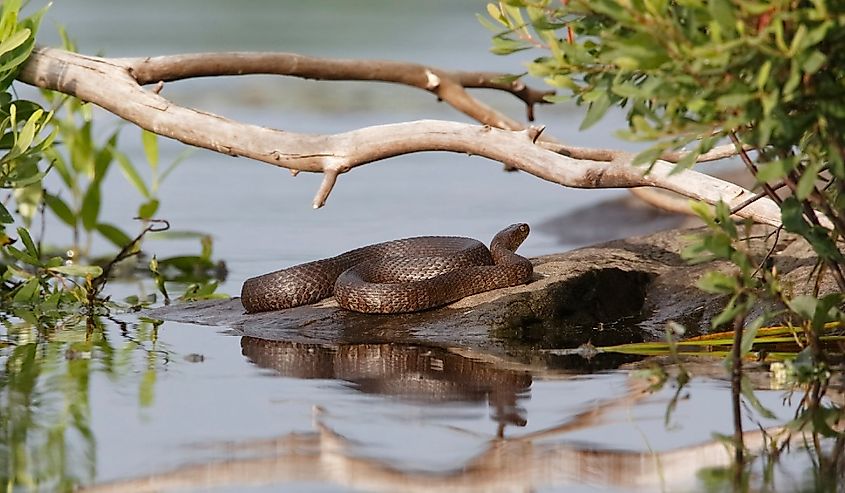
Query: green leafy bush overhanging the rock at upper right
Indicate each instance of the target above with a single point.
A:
(689, 72)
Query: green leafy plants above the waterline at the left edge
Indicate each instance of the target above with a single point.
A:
(37, 281)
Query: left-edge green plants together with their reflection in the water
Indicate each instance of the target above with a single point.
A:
(52, 299)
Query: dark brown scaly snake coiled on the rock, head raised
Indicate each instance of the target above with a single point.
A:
(398, 276)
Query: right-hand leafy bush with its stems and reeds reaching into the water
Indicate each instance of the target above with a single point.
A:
(767, 76)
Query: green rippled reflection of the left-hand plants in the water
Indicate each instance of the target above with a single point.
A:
(45, 413)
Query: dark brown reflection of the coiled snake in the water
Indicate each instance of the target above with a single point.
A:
(416, 373)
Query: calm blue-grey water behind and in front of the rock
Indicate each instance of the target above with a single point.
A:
(133, 407)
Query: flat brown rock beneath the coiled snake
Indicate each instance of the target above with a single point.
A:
(616, 292)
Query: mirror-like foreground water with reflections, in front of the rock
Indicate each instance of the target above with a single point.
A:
(52, 412)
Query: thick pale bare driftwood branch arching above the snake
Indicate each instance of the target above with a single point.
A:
(116, 85)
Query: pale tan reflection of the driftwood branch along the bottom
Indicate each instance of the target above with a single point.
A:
(540, 459)
